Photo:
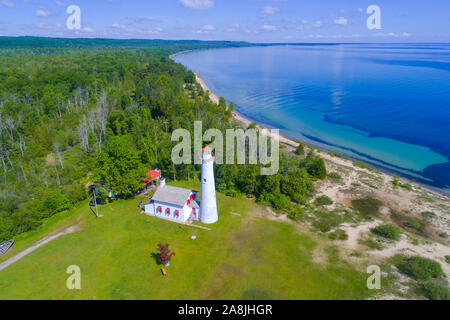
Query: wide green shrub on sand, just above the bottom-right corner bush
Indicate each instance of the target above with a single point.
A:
(419, 268)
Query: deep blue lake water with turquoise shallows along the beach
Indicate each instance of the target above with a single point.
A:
(388, 105)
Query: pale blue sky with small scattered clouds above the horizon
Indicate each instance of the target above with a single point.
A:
(247, 20)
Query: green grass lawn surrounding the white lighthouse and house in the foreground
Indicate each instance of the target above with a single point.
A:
(243, 257)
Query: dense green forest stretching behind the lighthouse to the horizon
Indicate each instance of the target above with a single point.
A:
(75, 116)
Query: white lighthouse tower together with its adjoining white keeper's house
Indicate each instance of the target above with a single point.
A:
(183, 205)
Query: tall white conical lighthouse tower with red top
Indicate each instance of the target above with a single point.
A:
(208, 204)
